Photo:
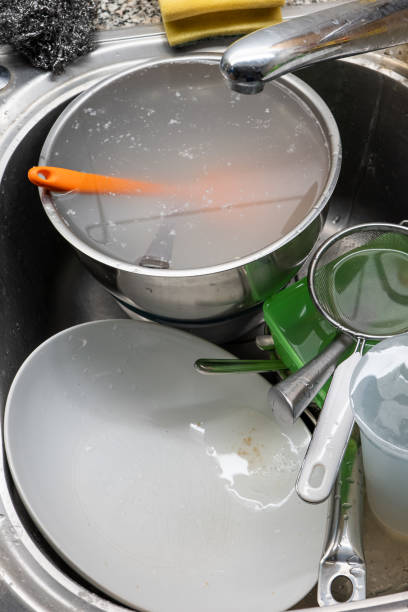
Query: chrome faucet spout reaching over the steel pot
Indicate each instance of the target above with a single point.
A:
(348, 29)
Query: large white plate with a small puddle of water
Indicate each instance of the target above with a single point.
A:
(169, 490)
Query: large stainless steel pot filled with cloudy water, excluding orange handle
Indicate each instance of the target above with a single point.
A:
(246, 182)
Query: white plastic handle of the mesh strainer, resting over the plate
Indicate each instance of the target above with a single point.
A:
(322, 461)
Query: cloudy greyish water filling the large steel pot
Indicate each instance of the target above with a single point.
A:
(245, 169)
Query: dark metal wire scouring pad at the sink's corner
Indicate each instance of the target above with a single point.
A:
(49, 33)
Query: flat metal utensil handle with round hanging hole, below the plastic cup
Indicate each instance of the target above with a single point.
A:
(344, 555)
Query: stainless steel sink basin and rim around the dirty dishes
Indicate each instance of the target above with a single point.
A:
(45, 289)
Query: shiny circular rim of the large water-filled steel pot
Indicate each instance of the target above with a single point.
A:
(307, 95)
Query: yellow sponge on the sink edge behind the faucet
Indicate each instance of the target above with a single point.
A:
(188, 20)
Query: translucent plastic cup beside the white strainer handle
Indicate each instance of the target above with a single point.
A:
(379, 399)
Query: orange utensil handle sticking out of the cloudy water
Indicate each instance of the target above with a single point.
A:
(61, 179)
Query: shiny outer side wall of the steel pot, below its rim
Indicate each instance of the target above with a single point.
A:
(206, 297)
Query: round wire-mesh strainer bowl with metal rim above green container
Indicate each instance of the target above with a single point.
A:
(360, 281)
